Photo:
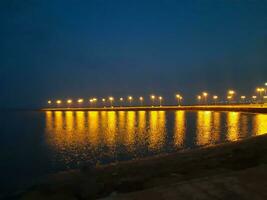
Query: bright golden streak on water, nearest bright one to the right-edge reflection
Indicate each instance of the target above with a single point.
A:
(233, 126)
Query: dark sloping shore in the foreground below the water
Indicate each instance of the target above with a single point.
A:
(230, 171)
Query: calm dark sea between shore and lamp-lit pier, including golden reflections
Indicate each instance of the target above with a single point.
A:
(34, 144)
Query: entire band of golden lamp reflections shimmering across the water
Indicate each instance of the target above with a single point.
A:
(74, 132)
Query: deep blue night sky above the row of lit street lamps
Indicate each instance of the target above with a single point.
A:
(56, 49)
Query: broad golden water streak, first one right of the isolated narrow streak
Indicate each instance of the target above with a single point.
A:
(203, 128)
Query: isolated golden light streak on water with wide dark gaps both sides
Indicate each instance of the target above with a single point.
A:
(179, 128)
